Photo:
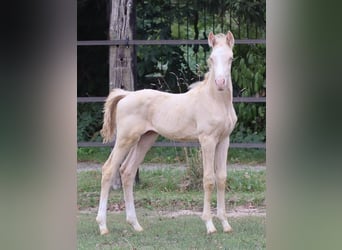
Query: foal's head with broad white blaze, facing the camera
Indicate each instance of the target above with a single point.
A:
(221, 58)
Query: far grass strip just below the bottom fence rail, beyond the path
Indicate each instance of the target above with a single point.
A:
(174, 155)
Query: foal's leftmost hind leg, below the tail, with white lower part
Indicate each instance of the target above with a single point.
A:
(108, 170)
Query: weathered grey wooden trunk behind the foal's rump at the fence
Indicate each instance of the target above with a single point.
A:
(122, 59)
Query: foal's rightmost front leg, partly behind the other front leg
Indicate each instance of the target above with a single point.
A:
(221, 177)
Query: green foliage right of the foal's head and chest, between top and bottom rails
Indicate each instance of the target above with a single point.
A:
(249, 79)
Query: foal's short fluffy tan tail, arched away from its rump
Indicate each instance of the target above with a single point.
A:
(109, 118)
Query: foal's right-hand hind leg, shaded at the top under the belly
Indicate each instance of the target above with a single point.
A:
(128, 171)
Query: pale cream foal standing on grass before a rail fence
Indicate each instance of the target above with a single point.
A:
(205, 114)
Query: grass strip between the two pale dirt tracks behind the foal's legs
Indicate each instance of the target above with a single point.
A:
(164, 189)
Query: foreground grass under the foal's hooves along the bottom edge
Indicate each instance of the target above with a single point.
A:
(184, 232)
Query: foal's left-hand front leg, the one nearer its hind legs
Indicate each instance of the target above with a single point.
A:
(208, 146)
